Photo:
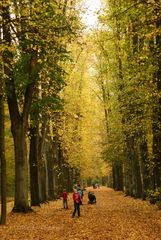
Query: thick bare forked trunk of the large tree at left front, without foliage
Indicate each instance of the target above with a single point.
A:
(18, 123)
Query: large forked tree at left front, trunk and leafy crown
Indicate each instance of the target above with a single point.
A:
(22, 33)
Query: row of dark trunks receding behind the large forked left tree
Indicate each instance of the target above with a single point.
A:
(49, 174)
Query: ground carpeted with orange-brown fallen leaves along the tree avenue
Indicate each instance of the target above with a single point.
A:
(113, 217)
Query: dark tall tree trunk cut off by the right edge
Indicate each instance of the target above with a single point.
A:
(157, 106)
